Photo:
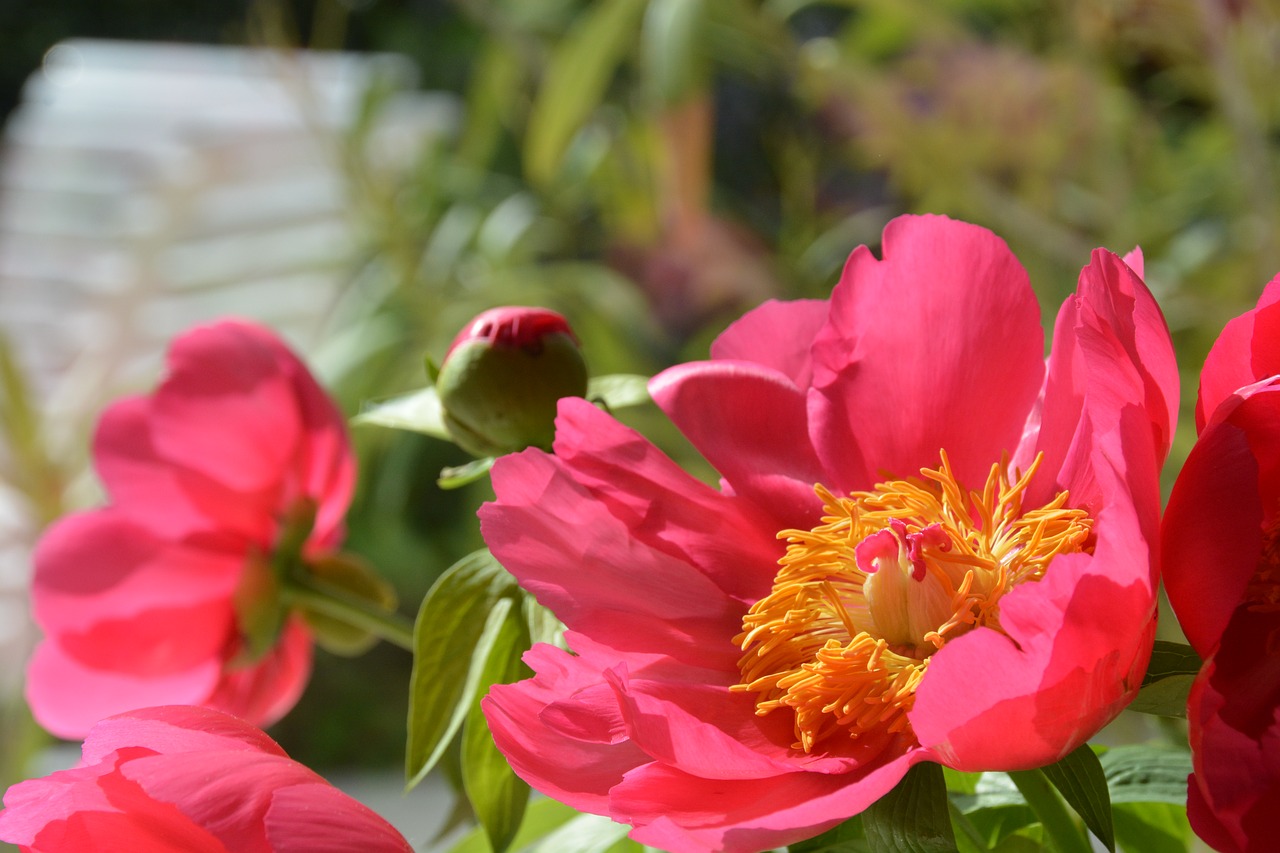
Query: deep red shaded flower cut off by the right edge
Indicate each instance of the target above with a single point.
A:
(1222, 569)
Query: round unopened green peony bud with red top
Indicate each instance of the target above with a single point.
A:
(502, 378)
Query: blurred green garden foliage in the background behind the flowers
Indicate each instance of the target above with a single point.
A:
(651, 168)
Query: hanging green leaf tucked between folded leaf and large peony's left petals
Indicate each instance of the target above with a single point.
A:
(497, 795)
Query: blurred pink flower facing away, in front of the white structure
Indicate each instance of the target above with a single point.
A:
(138, 599)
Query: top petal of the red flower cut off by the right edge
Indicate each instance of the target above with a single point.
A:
(1247, 350)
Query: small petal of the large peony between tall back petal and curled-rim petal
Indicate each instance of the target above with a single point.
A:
(776, 335)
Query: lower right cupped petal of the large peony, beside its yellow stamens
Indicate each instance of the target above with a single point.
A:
(1077, 647)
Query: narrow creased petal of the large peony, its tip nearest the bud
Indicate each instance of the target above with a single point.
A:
(730, 540)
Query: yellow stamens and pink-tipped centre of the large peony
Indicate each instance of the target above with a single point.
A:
(886, 580)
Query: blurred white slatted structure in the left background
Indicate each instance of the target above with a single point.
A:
(149, 188)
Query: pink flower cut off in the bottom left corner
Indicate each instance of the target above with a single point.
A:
(190, 781)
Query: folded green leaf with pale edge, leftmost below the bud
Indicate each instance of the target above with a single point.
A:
(454, 619)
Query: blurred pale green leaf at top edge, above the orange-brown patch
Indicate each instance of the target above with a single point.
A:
(674, 44)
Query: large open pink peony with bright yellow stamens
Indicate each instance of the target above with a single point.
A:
(929, 545)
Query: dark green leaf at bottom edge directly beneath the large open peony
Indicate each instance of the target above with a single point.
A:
(915, 818)
